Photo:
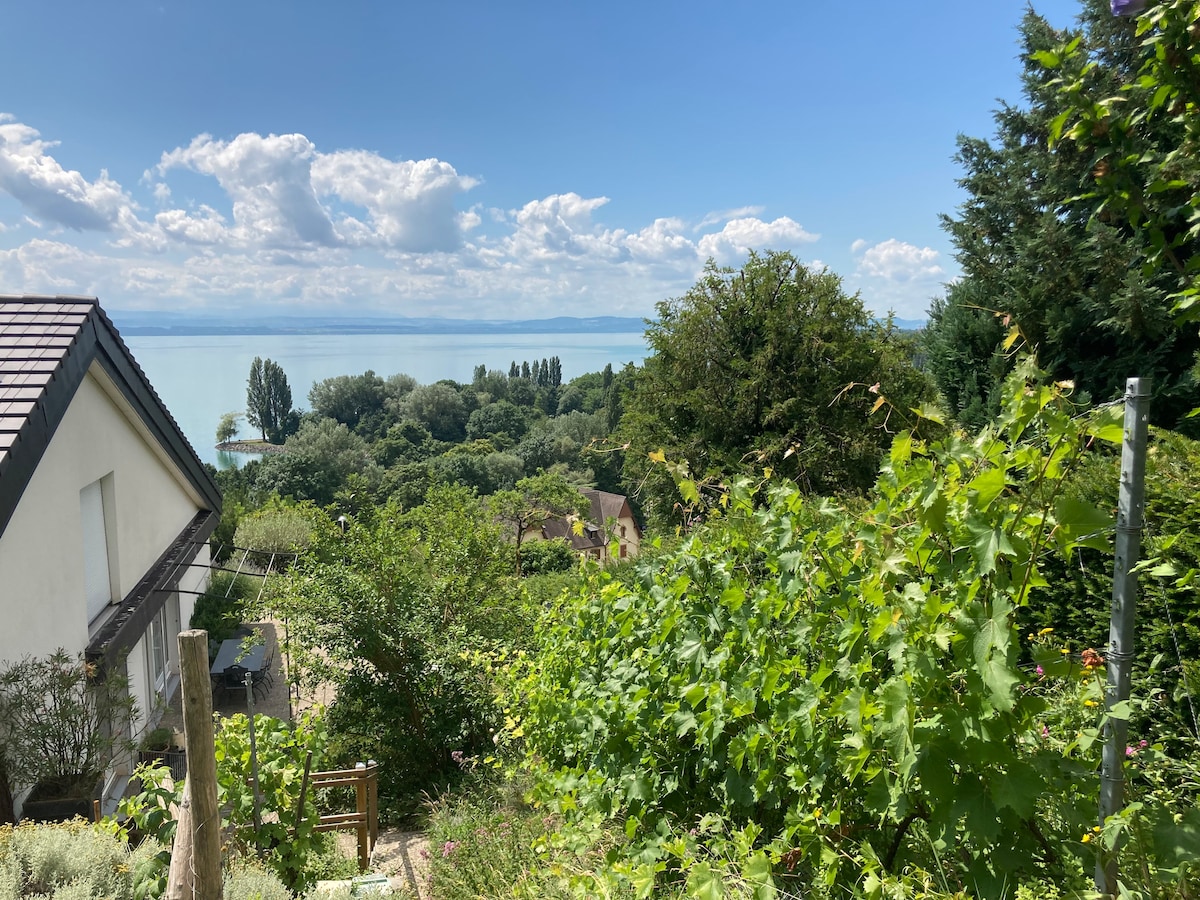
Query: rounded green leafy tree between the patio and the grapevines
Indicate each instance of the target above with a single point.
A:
(391, 614)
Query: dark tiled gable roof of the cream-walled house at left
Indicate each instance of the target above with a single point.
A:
(46, 346)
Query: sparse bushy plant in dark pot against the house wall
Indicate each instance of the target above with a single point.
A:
(64, 721)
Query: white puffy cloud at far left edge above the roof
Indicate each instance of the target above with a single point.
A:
(62, 196)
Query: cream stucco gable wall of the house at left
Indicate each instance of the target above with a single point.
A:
(43, 601)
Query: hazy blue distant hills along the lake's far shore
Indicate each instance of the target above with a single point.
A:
(142, 323)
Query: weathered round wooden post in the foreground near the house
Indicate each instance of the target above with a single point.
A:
(202, 766)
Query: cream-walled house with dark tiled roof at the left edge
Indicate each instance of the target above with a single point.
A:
(105, 508)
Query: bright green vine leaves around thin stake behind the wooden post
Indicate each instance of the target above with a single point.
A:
(289, 842)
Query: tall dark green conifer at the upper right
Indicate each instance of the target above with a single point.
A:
(1042, 245)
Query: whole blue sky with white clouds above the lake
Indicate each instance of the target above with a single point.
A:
(476, 159)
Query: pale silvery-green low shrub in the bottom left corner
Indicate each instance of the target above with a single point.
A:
(74, 861)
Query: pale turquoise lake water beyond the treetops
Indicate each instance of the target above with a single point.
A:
(201, 379)
